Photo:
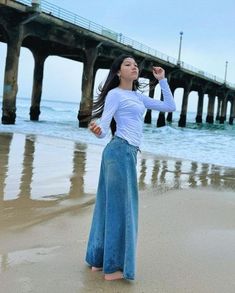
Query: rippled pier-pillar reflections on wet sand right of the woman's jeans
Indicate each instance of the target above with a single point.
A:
(175, 174)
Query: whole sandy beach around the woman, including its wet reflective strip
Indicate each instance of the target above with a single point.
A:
(186, 237)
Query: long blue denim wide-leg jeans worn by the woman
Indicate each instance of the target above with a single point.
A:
(113, 234)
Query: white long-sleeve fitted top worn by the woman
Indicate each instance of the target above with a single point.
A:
(128, 108)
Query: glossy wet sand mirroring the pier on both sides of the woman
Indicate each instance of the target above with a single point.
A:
(55, 176)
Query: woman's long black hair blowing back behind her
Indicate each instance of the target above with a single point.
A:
(111, 82)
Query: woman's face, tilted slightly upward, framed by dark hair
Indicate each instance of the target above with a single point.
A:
(129, 70)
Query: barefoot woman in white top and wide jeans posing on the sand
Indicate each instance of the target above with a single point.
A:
(113, 235)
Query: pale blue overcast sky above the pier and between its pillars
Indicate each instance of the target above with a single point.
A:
(208, 39)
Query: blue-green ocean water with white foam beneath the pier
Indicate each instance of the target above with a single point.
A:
(212, 144)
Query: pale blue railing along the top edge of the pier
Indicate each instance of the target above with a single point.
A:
(75, 19)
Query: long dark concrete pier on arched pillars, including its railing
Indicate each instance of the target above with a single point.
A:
(47, 30)
